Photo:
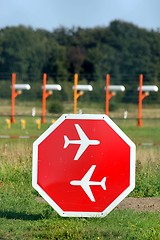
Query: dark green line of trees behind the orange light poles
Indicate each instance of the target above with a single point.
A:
(121, 49)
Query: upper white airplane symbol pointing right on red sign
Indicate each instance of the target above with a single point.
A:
(84, 142)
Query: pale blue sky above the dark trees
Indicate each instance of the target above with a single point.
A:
(51, 14)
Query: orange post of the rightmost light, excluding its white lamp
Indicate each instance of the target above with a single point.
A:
(140, 99)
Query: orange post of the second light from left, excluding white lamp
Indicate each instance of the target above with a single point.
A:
(45, 95)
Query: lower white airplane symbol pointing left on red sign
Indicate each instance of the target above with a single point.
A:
(85, 183)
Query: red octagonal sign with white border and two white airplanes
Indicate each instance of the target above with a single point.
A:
(83, 165)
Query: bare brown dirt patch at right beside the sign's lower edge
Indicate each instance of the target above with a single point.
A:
(150, 204)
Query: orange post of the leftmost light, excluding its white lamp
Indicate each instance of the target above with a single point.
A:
(13, 97)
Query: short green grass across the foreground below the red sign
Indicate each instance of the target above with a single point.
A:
(118, 225)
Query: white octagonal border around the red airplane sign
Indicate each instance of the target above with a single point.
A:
(118, 131)
